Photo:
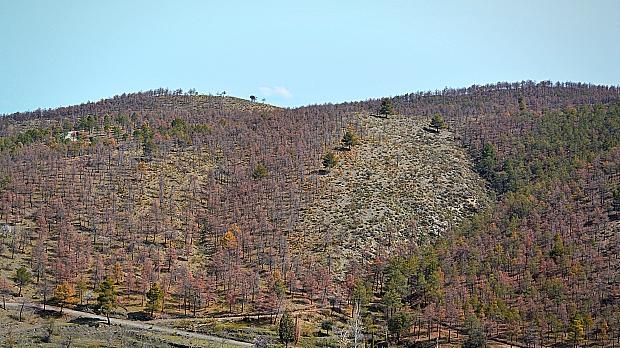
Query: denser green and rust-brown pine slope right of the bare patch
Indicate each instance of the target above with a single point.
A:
(542, 260)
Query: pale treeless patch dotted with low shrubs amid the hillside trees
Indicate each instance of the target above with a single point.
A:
(402, 183)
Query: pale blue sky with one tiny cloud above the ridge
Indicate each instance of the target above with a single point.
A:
(293, 53)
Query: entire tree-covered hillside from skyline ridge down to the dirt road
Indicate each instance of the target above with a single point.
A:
(212, 202)
